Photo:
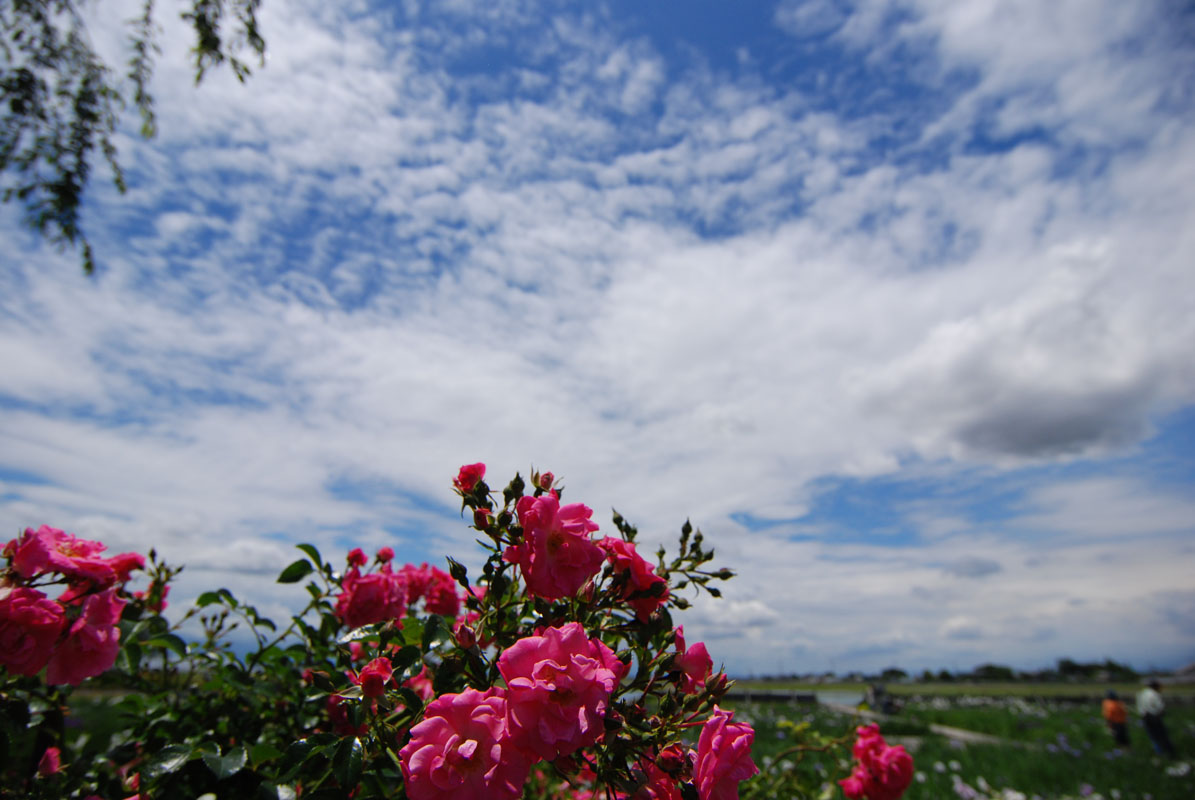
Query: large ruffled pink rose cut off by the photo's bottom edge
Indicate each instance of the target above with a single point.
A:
(462, 750)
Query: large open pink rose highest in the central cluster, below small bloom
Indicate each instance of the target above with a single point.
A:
(557, 555)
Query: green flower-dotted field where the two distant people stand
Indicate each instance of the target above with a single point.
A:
(1051, 750)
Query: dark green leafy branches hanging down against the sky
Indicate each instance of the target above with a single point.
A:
(62, 103)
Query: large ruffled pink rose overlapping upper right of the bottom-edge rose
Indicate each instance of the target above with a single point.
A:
(559, 687)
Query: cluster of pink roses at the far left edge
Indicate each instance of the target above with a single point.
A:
(73, 637)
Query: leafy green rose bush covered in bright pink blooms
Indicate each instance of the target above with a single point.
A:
(555, 673)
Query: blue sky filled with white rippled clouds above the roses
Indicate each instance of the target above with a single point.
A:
(893, 300)
